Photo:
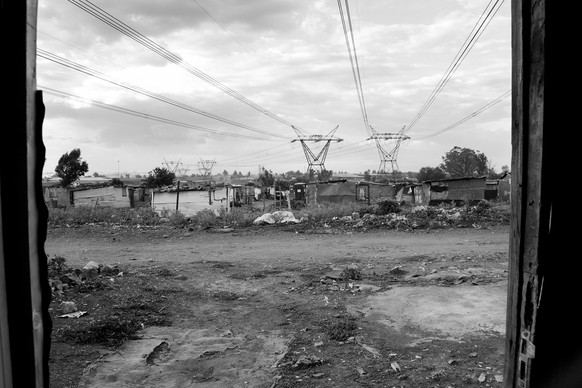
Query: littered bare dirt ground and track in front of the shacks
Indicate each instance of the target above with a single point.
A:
(279, 306)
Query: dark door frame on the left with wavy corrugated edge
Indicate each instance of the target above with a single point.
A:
(25, 324)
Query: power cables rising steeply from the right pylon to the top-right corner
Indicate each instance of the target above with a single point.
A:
(483, 21)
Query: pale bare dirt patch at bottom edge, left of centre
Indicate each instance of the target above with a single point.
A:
(175, 357)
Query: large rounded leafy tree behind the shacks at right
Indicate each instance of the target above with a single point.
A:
(464, 162)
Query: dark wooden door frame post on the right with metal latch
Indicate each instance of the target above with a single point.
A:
(542, 347)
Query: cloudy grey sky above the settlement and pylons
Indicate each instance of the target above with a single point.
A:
(192, 81)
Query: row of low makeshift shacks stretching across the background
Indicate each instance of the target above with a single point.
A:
(190, 200)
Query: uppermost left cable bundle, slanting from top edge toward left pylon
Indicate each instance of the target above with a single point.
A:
(138, 37)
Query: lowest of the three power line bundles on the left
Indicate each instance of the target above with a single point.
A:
(148, 116)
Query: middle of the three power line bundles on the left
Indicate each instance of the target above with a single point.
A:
(94, 73)
